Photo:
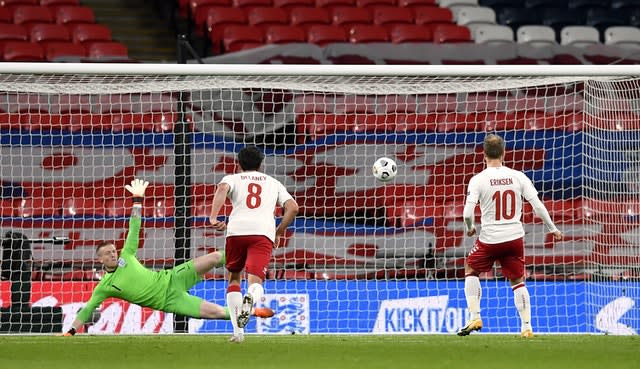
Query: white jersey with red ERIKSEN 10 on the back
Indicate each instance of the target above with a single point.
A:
(500, 191)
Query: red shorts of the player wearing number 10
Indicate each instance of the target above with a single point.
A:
(509, 254)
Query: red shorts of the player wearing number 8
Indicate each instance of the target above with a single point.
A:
(248, 252)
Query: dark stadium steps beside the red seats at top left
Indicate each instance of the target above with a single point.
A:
(135, 24)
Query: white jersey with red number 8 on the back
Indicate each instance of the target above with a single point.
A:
(254, 196)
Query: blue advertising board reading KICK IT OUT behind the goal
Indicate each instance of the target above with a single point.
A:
(418, 307)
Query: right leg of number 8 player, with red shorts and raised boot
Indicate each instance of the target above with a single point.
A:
(258, 255)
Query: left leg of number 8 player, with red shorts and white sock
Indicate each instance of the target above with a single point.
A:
(236, 255)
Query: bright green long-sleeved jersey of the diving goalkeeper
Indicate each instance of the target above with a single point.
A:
(130, 281)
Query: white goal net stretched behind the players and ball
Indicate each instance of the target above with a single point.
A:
(363, 256)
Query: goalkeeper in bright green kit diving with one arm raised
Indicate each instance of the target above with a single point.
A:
(164, 290)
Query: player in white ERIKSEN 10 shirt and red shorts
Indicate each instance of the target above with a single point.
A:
(500, 191)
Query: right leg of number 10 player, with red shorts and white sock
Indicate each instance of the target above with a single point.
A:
(513, 269)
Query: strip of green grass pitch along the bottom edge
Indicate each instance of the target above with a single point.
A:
(320, 351)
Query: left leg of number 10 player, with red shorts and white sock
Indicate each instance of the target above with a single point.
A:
(478, 261)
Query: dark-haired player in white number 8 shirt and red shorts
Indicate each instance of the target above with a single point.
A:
(251, 231)
